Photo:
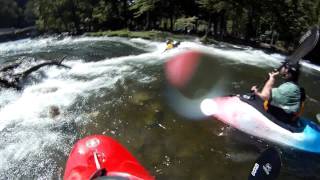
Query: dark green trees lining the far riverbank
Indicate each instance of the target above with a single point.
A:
(244, 19)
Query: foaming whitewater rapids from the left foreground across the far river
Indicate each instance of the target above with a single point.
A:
(30, 139)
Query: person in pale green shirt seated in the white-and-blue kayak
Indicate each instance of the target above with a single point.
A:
(285, 102)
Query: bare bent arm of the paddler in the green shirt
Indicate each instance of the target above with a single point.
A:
(266, 91)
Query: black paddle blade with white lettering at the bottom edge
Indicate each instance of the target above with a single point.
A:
(267, 166)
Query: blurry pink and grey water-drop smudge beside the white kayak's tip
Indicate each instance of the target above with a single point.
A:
(186, 88)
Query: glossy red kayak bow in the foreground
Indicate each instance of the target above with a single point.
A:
(100, 156)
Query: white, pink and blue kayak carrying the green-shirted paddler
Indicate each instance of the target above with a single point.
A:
(248, 116)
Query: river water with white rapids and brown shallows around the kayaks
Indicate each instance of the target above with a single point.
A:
(116, 87)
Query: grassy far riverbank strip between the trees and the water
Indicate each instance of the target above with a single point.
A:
(31, 32)
